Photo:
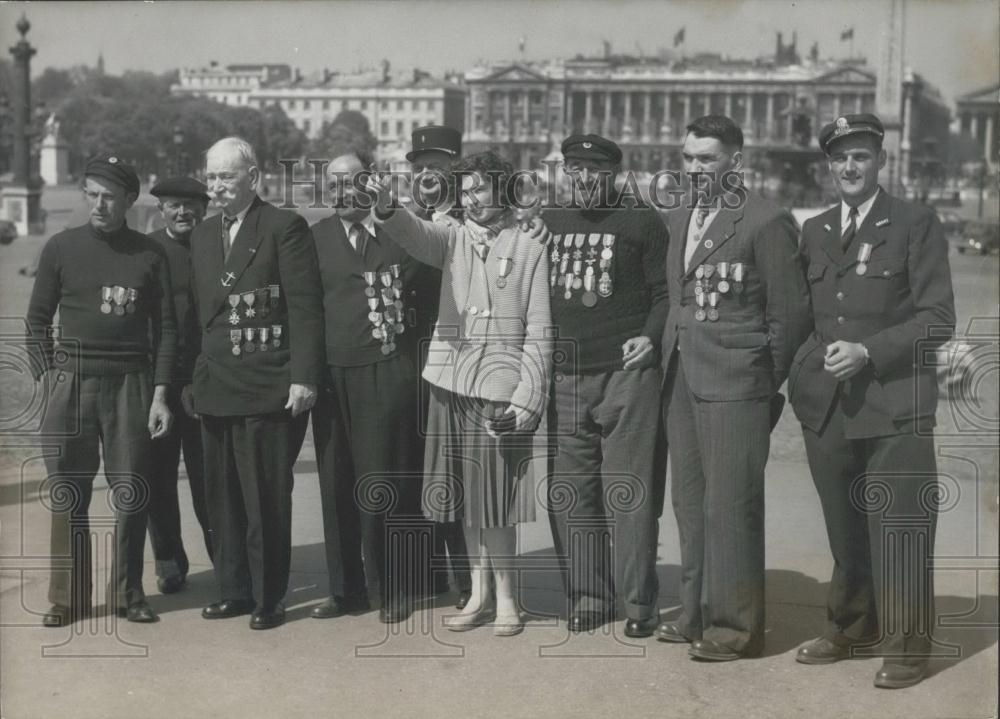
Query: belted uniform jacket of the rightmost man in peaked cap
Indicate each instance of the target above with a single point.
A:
(901, 308)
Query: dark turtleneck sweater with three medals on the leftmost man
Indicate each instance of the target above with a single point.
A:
(74, 266)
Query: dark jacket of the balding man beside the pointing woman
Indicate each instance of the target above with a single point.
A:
(349, 340)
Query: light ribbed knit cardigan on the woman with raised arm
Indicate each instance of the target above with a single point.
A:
(506, 355)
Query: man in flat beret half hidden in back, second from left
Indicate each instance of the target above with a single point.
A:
(182, 203)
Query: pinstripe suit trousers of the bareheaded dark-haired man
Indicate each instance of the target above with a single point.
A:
(718, 451)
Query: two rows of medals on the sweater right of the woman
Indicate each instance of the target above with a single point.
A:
(581, 273)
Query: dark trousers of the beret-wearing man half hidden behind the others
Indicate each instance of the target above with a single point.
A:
(164, 510)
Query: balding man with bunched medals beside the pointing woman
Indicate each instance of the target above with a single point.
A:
(367, 412)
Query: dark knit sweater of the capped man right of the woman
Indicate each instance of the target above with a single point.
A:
(638, 302)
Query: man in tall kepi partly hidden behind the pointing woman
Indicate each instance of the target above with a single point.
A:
(433, 151)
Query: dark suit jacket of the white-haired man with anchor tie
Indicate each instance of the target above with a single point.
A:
(272, 248)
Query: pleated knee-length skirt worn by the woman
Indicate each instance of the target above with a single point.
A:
(484, 481)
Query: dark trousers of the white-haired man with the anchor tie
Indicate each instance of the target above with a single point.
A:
(248, 485)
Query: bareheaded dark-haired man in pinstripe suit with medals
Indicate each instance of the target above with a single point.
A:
(738, 311)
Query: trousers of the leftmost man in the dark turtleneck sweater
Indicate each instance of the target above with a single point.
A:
(86, 413)
